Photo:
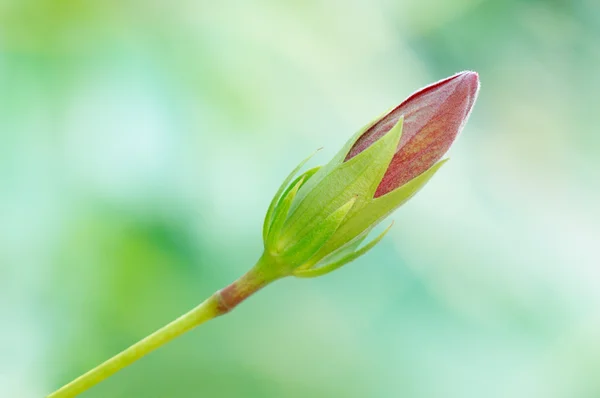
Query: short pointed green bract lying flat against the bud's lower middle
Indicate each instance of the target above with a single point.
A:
(301, 252)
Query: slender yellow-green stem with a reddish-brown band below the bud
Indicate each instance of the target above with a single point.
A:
(218, 304)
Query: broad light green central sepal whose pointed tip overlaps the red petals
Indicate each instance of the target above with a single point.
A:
(358, 177)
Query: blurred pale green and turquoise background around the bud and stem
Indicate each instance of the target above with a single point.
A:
(141, 142)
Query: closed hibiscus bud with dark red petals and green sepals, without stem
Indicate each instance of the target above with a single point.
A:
(316, 223)
